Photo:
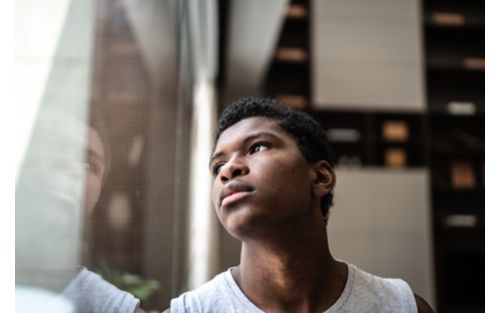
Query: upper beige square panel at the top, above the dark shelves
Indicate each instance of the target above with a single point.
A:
(367, 55)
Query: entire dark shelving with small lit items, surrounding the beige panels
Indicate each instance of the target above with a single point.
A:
(448, 138)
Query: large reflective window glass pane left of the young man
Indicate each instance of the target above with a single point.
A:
(100, 189)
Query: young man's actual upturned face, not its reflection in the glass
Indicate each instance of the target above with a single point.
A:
(260, 177)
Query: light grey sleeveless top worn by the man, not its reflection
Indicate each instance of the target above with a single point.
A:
(363, 293)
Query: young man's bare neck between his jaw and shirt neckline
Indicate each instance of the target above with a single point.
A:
(293, 271)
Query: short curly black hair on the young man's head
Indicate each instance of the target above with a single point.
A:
(309, 135)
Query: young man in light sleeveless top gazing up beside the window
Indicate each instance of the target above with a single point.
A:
(272, 189)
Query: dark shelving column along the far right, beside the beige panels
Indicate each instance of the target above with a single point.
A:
(454, 47)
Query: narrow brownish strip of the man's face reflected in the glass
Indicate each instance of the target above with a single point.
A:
(95, 168)
